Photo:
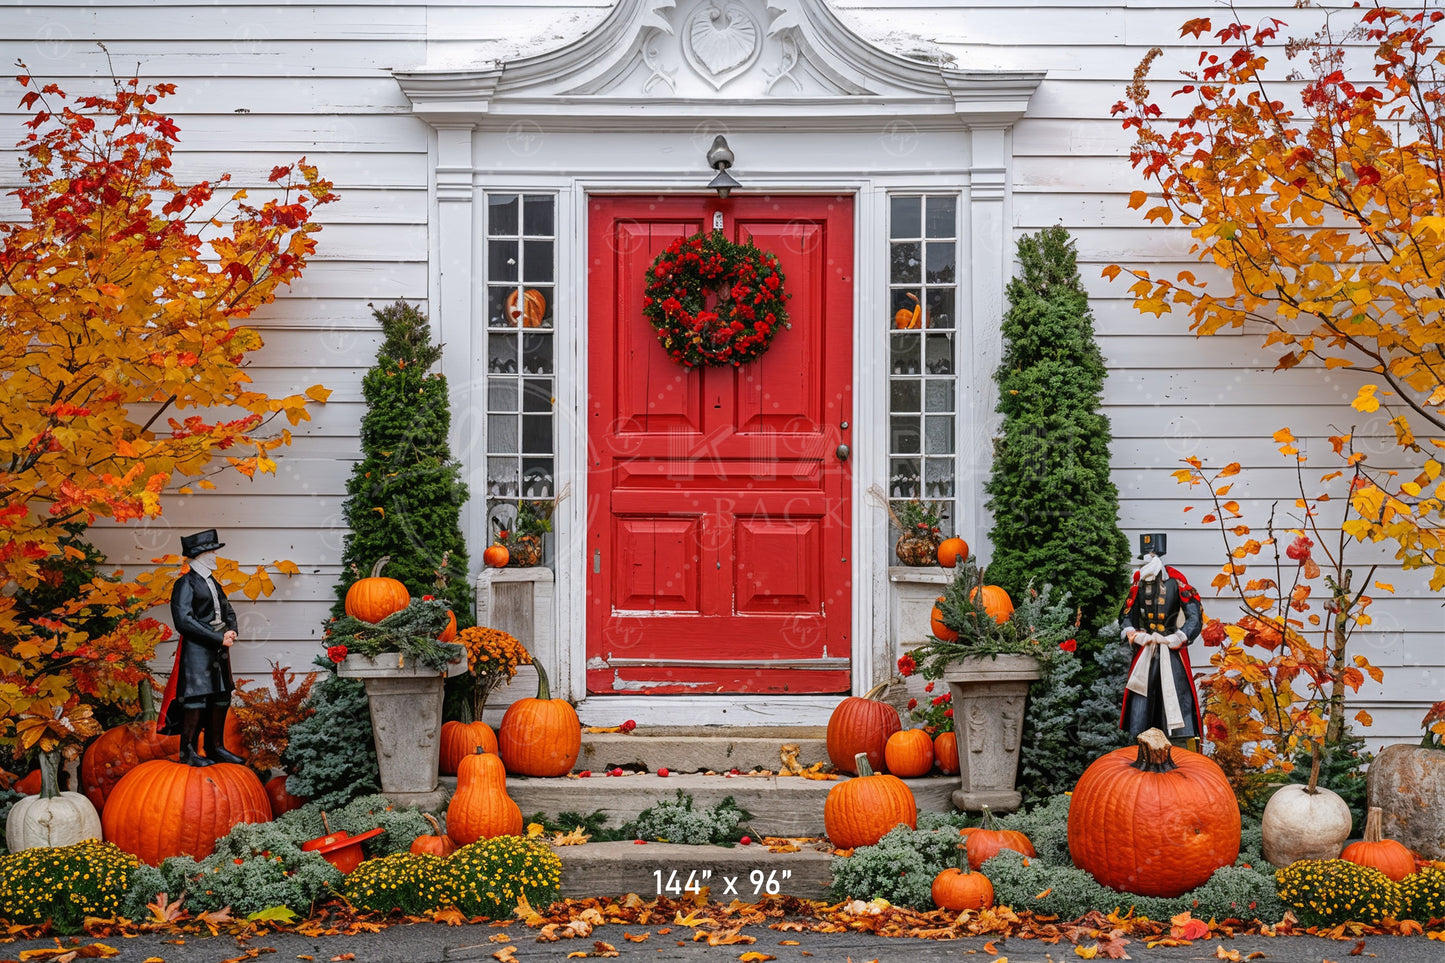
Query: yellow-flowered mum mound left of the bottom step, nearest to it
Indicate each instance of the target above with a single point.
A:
(489, 878)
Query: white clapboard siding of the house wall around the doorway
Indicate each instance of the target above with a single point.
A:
(264, 83)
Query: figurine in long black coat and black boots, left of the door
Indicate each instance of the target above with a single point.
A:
(199, 693)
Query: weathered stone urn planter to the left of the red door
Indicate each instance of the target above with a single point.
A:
(405, 699)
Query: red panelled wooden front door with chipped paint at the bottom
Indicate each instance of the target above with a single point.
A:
(719, 500)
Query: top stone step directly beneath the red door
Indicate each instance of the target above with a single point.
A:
(681, 750)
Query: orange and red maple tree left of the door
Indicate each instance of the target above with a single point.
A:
(124, 377)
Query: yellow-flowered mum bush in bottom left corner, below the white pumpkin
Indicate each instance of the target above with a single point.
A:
(64, 884)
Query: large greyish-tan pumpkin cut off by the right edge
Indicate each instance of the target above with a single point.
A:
(1408, 784)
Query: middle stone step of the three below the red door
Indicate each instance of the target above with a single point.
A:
(781, 806)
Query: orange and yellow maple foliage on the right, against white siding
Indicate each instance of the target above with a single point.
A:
(1329, 221)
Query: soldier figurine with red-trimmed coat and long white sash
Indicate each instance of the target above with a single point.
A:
(1161, 618)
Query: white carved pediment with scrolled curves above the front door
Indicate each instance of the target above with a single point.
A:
(781, 59)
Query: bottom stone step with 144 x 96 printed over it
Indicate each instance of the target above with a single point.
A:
(729, 873)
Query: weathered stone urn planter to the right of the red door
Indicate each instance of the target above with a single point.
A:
(989, 701)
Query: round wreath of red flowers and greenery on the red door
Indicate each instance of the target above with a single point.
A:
(715, 301)
